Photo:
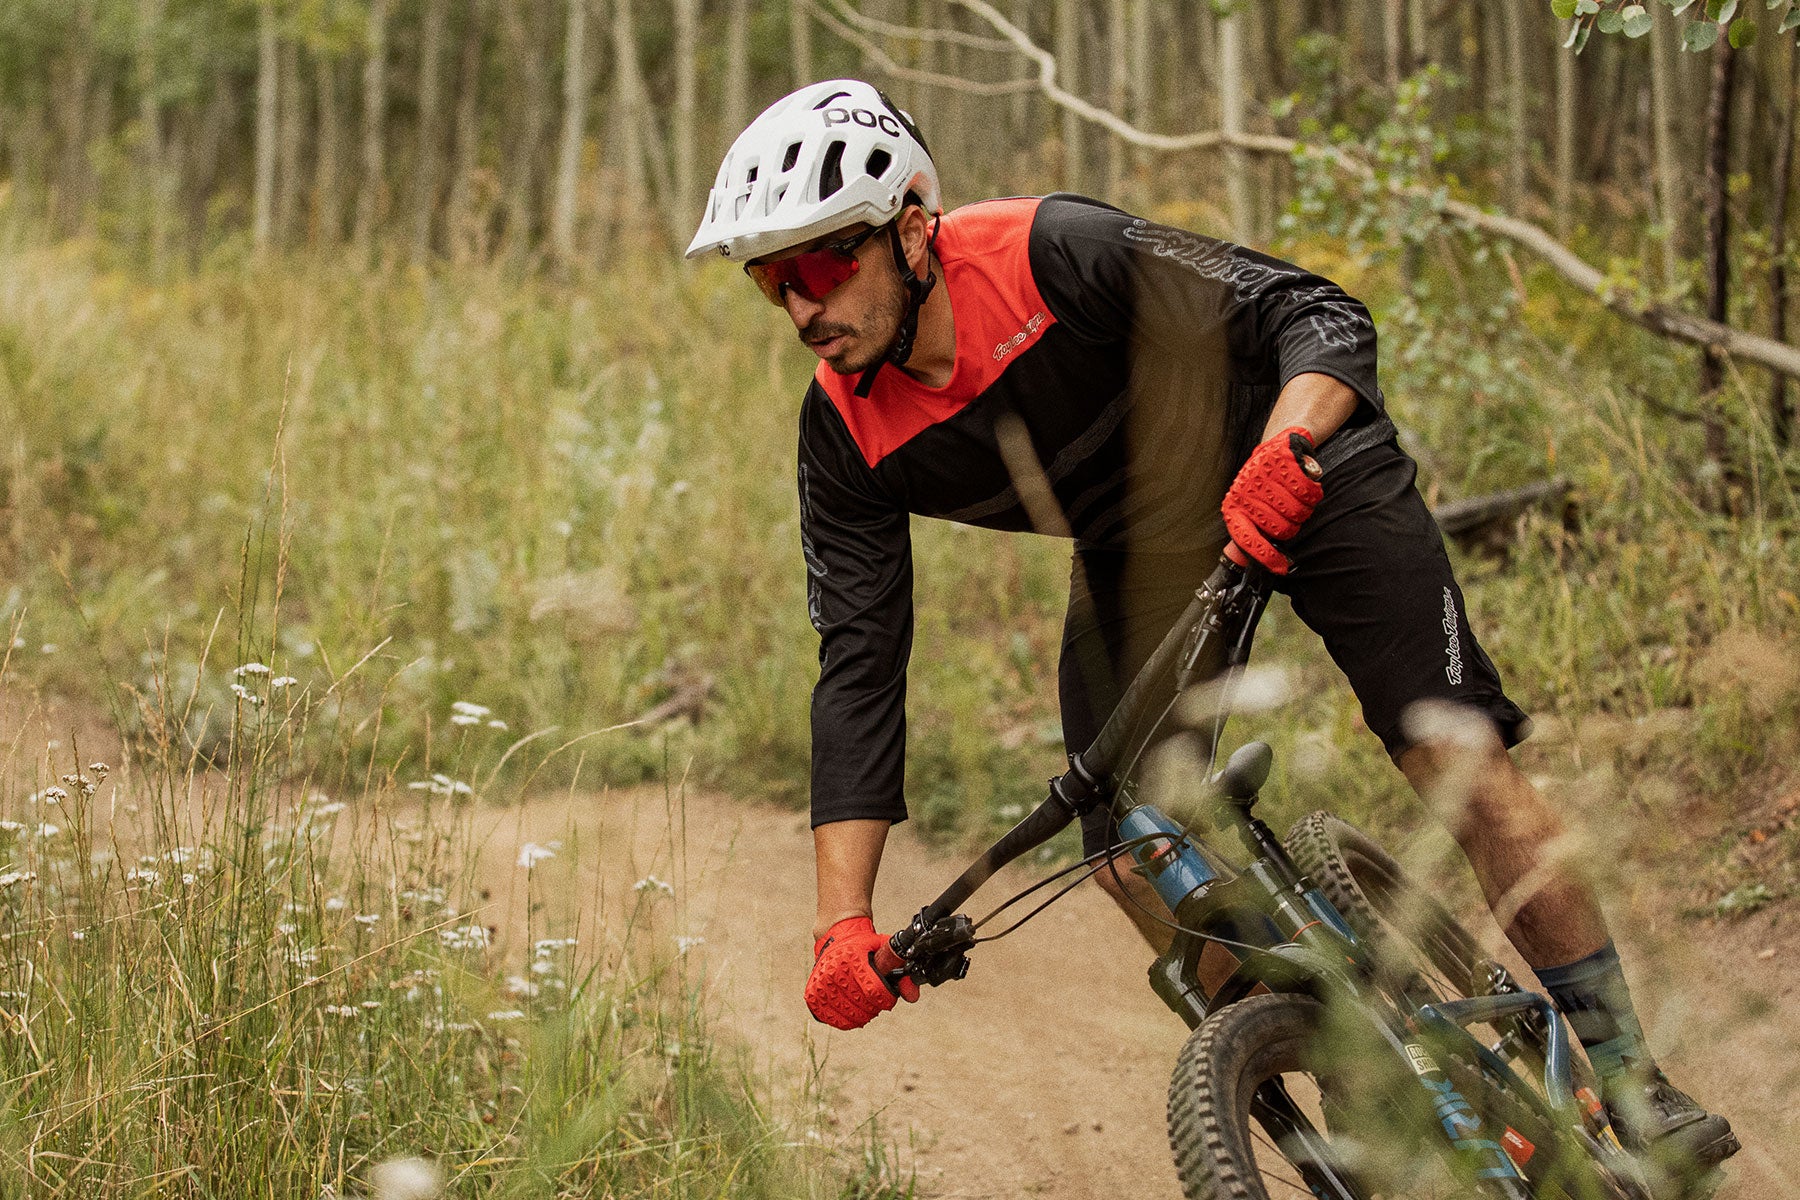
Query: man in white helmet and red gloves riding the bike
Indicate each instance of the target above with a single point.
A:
(1063, 366)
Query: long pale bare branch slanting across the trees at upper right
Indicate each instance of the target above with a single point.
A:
(1660, 319)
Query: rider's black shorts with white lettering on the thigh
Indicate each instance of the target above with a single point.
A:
(1371, 578)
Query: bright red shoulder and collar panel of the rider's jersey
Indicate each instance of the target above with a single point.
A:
(985, 253)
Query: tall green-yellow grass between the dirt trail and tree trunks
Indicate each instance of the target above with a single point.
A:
(575, 501)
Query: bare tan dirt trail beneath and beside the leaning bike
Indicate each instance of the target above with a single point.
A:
(1043, 1075)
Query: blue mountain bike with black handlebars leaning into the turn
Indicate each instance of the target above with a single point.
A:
(1349, 1041)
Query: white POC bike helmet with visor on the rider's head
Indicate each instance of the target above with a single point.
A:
(816, 161)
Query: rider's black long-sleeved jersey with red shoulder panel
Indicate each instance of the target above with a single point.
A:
(1135, 363)
